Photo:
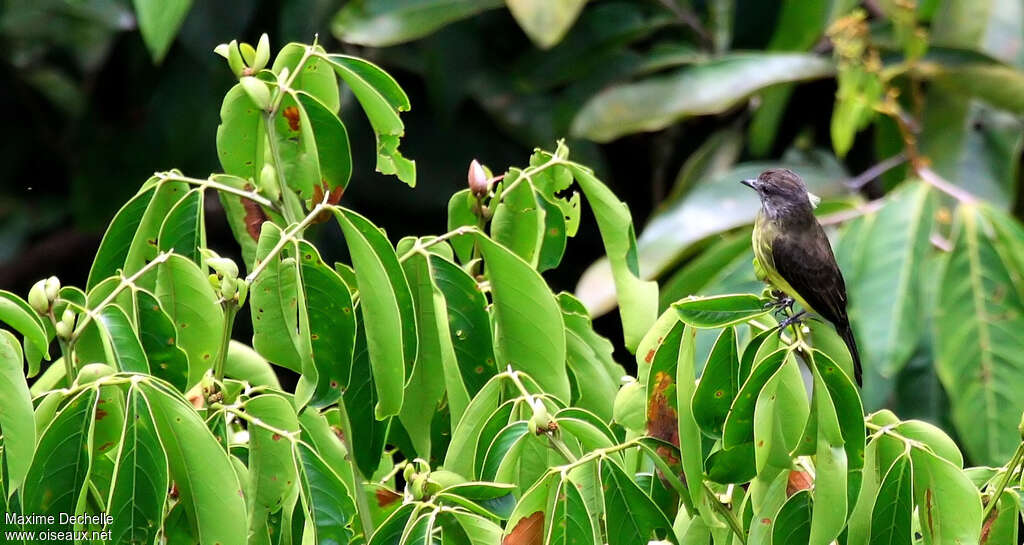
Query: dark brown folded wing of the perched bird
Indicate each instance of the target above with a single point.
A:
(806, 262)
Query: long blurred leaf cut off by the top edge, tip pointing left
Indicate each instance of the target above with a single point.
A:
(380, 24)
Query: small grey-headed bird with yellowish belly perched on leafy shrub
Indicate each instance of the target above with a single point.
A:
(793, 254)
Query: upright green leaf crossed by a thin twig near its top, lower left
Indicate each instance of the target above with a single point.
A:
(271, 466)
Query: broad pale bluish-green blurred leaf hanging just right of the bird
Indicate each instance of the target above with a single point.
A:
(890, 262)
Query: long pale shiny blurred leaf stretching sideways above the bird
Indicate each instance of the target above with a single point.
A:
(706, 89)
